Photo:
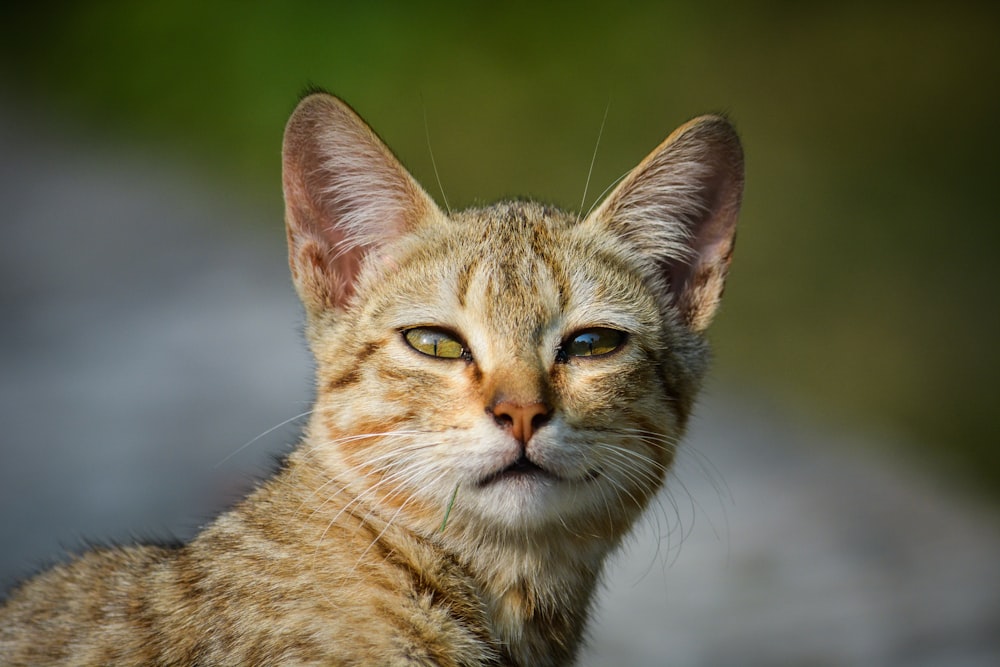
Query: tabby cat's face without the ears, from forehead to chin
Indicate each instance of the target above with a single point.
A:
(512, 313)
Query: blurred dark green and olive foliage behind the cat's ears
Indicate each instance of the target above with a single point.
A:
(864, 282)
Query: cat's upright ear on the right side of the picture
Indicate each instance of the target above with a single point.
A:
(678, 209)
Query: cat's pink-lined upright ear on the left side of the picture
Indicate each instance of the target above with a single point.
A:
(346, 196)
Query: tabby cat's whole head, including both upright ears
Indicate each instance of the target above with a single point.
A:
(541, 365)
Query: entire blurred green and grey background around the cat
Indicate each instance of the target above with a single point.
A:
(848, 437)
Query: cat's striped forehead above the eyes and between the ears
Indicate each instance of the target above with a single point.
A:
(515, 269)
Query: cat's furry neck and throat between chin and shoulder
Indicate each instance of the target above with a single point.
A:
(534, 589)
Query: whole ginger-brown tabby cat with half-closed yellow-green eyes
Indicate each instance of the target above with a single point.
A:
(499, 394)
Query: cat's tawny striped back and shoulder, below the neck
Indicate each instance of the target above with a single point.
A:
(247, 592)
